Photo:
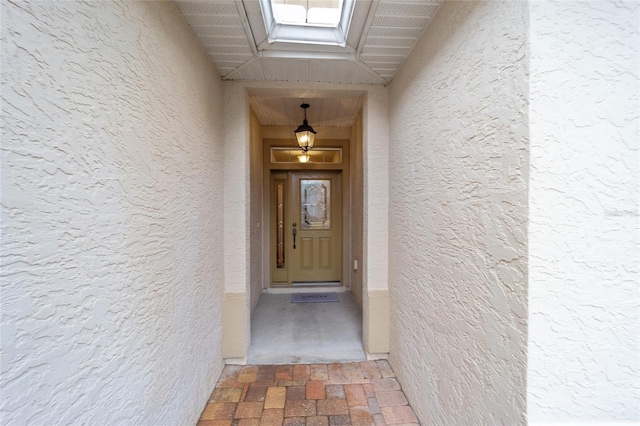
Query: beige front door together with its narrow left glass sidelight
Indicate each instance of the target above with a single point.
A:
(307, 231)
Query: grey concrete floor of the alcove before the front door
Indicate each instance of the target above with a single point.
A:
(302, 333)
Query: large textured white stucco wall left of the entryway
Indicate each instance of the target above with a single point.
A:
(111, 215)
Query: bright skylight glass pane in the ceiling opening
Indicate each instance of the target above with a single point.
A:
(324, 13)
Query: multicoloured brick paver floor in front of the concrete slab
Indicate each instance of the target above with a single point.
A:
(365, 393)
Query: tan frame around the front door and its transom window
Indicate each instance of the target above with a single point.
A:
(270, 167)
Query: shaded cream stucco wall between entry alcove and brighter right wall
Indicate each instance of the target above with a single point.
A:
(458, 217)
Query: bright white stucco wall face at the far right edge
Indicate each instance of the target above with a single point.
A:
(584, 232)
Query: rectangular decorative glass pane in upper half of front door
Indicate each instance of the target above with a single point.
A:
(315, 199)
